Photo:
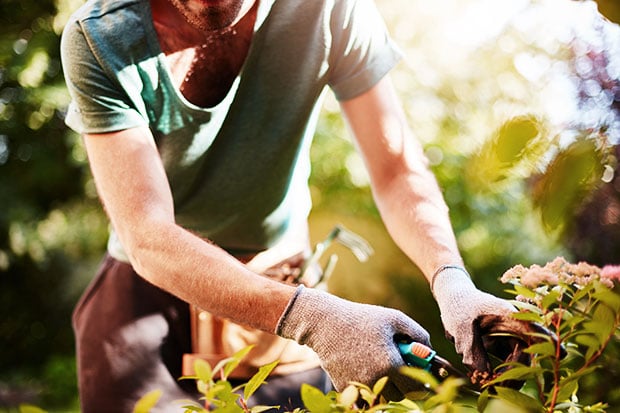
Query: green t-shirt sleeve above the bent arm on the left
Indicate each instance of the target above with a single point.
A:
(98, 102)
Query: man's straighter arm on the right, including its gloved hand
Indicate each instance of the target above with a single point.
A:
(415, 214)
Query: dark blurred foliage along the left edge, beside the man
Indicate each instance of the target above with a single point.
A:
(52, 229)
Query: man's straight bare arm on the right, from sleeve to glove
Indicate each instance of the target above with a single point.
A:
(407, 195)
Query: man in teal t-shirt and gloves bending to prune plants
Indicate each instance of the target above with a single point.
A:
(197, 117)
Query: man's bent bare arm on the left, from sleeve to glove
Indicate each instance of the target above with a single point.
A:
(132, 184)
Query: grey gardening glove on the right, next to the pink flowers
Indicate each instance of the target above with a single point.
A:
(481, 324)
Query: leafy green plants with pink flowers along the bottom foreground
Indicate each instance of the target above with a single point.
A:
(577, 303)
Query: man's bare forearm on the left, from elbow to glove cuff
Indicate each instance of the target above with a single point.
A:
(205, 275)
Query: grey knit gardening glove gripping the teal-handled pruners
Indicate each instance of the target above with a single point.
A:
(355, 342)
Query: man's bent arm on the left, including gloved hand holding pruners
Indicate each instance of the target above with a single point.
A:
(131, 182)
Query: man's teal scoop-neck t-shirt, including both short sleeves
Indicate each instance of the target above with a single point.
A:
(239, 170)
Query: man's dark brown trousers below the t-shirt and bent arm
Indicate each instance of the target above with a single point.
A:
(130, 339)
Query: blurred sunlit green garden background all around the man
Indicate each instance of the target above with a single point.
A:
(517, 103)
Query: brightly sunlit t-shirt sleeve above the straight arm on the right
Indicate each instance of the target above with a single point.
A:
(362, 50)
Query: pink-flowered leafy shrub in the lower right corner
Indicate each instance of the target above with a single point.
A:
(578, 303)
